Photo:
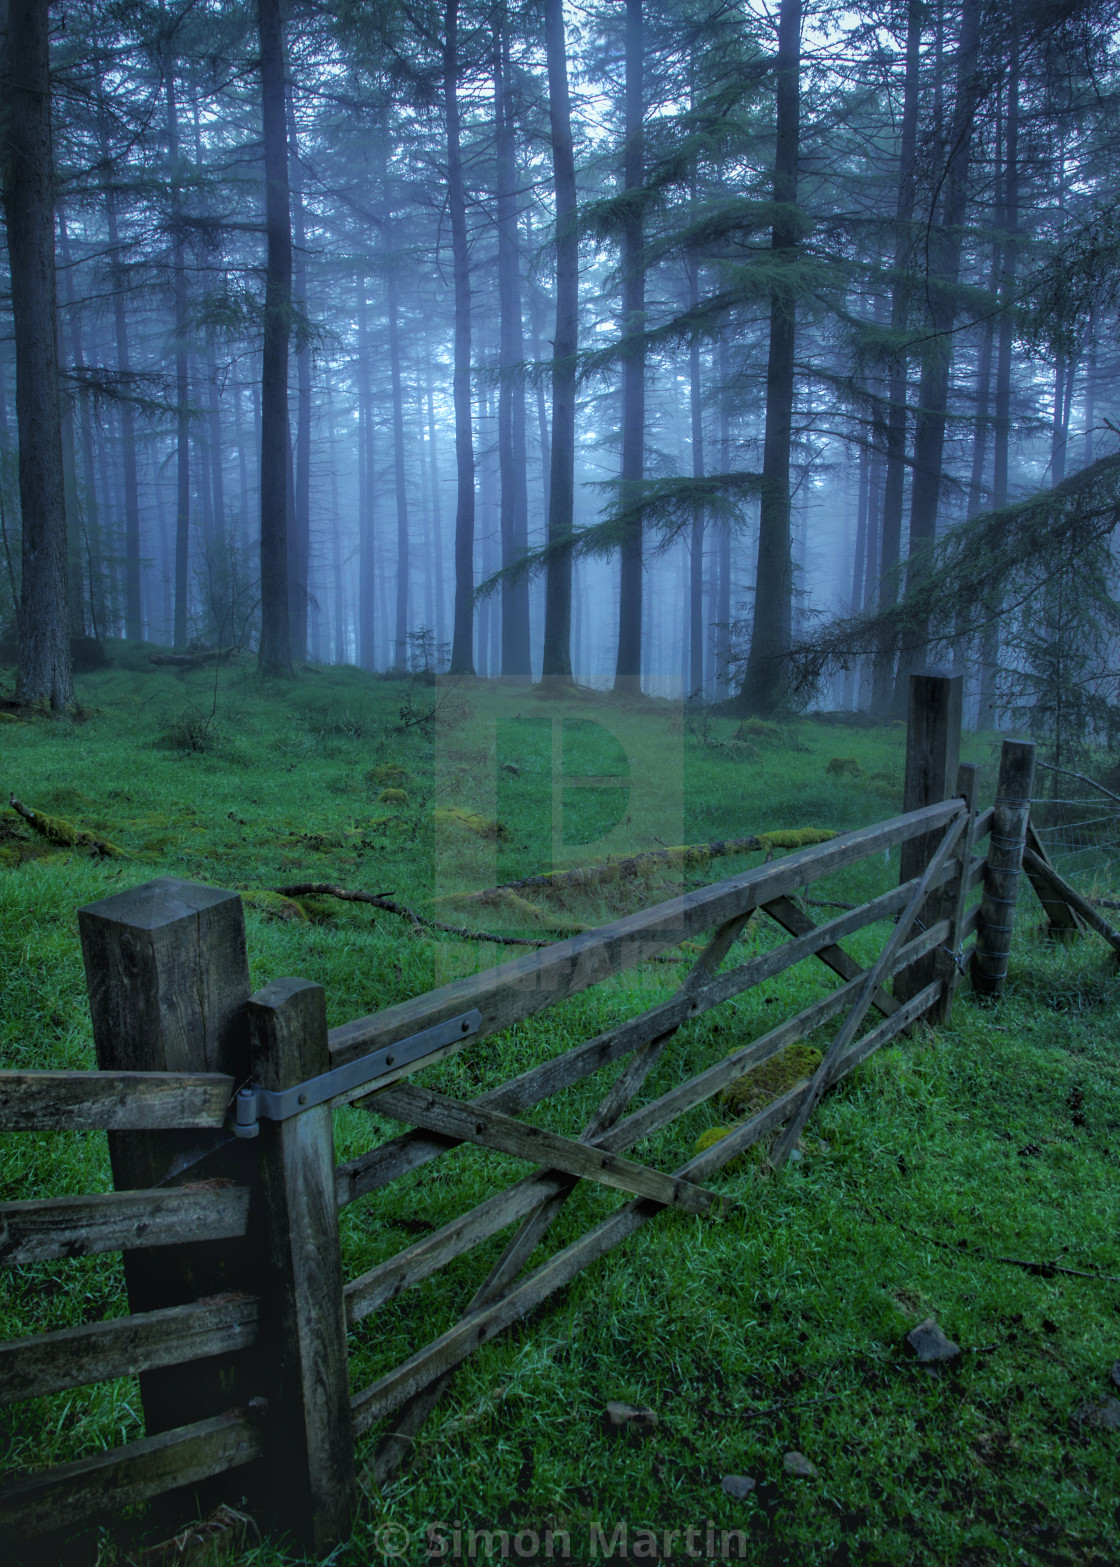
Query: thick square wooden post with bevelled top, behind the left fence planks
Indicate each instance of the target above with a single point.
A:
(168, 982)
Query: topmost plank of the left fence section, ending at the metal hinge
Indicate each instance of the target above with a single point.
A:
(114, 1101)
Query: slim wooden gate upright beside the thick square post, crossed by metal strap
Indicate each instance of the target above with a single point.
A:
(309, 1444)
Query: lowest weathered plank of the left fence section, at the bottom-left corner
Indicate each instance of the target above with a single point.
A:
(109, 1483)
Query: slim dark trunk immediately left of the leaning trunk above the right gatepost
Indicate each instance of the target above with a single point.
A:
(884, 570)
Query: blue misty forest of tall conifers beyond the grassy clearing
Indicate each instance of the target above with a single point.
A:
(748, 353)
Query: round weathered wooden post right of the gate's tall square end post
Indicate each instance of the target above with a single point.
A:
(1003, 869)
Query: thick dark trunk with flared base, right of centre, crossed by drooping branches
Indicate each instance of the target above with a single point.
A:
(765, 684)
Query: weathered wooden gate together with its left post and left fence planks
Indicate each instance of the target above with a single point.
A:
(239, 1309)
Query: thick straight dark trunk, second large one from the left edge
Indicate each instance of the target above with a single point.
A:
(275, 657)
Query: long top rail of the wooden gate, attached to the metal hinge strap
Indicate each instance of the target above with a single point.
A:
(538, 980)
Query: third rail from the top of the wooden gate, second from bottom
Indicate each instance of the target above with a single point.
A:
(427, 1256)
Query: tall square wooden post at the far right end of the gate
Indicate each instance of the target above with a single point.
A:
(933, 755)
